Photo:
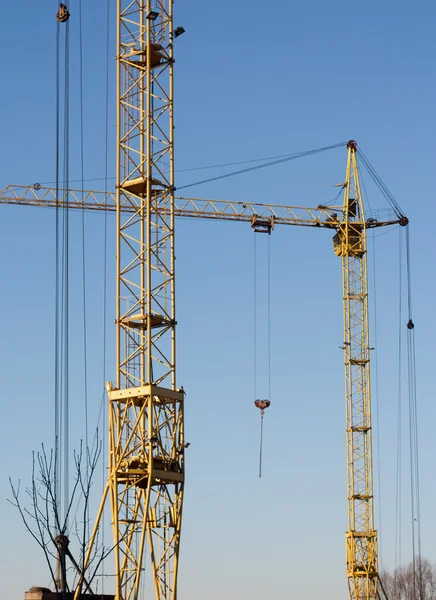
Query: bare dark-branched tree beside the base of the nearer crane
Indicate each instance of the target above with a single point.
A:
(42, 519)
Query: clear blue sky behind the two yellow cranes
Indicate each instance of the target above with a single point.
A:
(251, 81)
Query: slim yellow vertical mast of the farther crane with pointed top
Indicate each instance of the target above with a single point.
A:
(350, 245)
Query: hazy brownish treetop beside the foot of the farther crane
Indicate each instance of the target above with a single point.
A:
(415, 581)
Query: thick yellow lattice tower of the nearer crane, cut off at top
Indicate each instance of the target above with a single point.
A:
(146, 443)
